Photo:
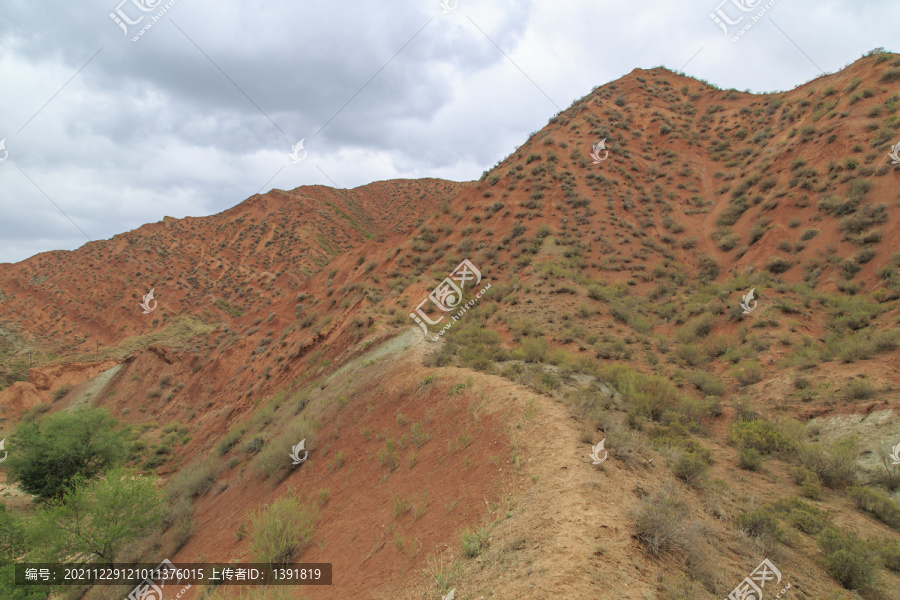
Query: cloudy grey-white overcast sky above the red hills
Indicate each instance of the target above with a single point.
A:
(104, 133)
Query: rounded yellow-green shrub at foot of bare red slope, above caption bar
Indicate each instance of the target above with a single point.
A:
(281, 530)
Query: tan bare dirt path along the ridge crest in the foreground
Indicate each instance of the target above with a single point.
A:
(562, 530)
